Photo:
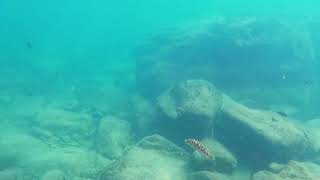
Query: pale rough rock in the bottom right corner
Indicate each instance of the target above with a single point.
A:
(292, 171)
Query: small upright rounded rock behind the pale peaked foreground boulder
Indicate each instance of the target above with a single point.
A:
(114, 136)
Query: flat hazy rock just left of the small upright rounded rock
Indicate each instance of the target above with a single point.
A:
(59, 126)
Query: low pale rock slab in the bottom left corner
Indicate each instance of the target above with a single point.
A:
(35, 157)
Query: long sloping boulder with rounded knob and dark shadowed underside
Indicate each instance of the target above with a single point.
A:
(257, 137)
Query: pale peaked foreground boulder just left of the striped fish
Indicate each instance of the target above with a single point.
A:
(153, 157)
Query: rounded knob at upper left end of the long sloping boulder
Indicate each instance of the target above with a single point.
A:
(193, 97)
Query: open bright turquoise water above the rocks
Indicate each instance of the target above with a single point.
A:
(102, 30)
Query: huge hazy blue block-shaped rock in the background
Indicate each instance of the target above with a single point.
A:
(273, 47)
